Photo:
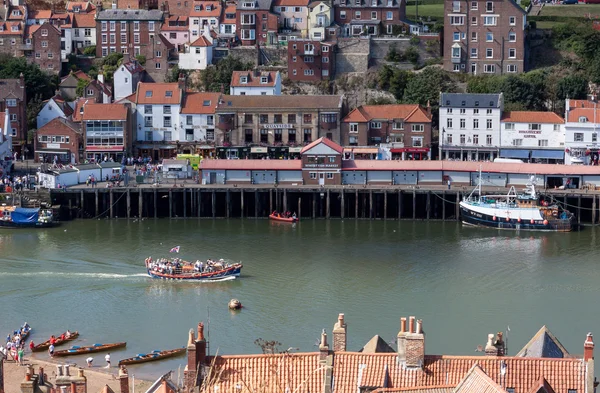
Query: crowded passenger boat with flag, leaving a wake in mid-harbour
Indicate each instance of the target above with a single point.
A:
(178, 269)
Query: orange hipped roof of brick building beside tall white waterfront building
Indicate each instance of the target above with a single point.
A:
(409, 112)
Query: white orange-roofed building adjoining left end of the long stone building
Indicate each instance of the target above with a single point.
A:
(198, 117)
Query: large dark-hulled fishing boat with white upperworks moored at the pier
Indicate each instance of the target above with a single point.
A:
(526, 211)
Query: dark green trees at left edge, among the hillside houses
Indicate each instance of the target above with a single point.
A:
(37, 82)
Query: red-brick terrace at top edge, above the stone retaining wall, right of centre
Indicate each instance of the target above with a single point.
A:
(369, 17)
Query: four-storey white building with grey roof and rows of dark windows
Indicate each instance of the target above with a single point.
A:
(470, 126)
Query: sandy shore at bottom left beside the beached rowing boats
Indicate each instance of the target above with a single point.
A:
(97, 376)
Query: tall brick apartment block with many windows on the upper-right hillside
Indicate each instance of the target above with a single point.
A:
(484, 37)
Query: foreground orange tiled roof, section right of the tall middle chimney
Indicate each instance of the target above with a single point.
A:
(520, 373)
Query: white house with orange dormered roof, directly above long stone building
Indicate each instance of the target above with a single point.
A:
(255, 83)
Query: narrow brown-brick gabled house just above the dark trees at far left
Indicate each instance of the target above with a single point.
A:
(46, 48)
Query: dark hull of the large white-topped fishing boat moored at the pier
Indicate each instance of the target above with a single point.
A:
(479, 219)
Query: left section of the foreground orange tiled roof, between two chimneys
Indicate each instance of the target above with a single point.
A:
(297, 372)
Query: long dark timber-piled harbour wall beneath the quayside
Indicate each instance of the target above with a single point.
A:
(339, 202)
